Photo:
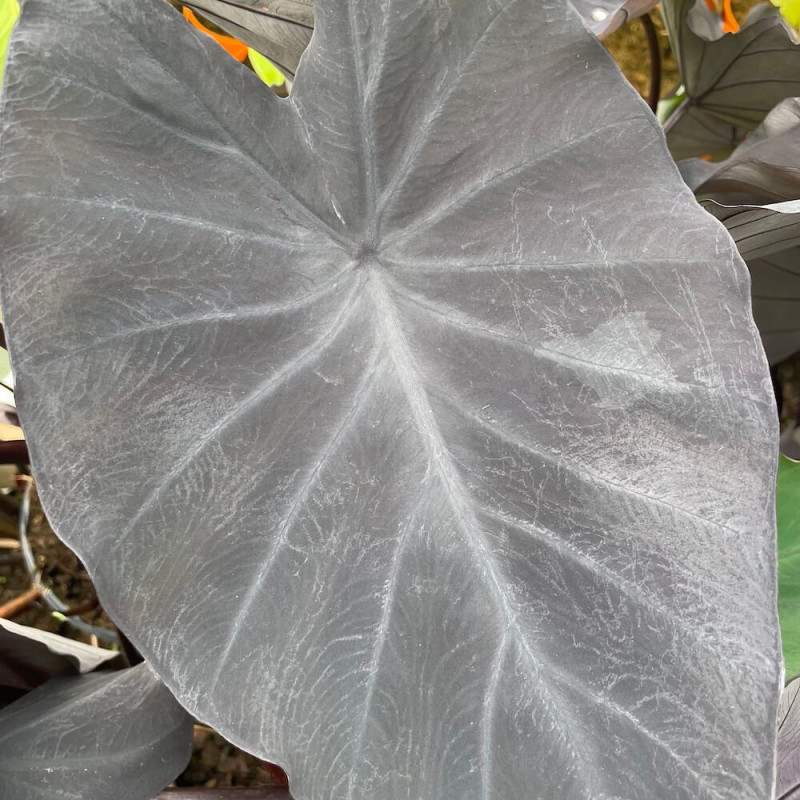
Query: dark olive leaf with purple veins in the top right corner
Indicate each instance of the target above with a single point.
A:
(731, 82)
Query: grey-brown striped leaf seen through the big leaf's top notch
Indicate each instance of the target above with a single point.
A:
(280, 29)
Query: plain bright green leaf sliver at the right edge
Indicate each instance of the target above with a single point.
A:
(788, 512)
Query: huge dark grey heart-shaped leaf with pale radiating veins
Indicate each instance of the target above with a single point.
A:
(396, 425)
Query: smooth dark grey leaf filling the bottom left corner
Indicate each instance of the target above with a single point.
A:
(119, 736)
